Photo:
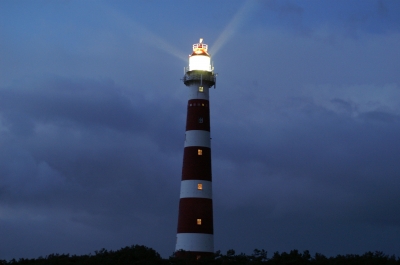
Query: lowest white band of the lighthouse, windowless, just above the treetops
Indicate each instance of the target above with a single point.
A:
(195, 242)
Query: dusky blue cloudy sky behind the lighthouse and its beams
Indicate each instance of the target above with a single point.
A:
(305, 124)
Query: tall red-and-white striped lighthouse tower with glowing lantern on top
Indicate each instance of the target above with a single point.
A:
(195, 222)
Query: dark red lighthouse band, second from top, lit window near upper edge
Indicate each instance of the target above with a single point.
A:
(196, 166)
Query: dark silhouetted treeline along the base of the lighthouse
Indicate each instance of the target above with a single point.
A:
(136, 254)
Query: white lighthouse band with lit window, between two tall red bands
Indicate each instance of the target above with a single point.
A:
(189, 189)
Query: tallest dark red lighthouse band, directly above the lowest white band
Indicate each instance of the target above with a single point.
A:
(191, 209)
